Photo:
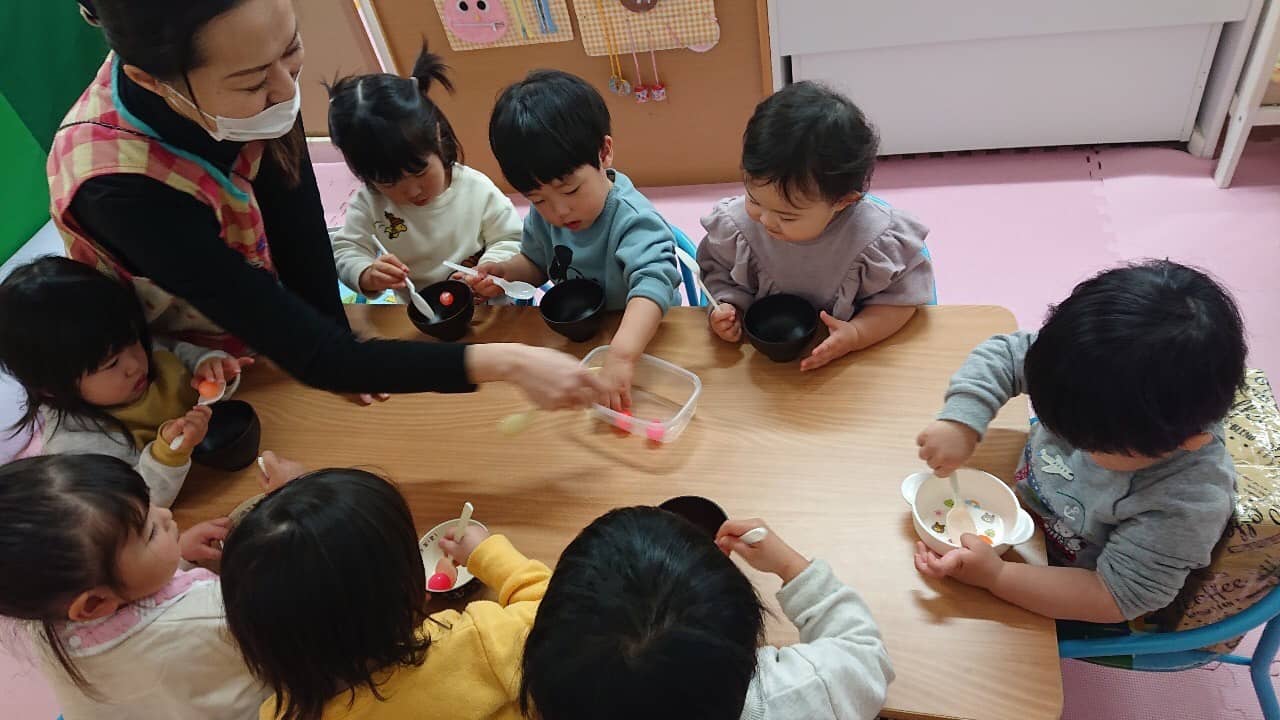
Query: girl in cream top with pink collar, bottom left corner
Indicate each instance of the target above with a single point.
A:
(92, 568)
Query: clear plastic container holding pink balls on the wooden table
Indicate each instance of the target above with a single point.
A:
(664, 398)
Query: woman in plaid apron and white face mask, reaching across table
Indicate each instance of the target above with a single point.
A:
(184, 170)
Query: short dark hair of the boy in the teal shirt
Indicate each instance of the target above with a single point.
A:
(547, 126)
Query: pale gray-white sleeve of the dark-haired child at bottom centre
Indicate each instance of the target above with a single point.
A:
(840, 671)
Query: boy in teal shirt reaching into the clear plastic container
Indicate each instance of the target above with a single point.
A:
(551, 135)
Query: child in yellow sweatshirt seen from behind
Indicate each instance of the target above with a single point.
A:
(326, 594)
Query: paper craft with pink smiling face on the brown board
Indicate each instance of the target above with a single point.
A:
(477, 25)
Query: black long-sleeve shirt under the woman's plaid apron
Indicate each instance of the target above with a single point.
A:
(171, 238)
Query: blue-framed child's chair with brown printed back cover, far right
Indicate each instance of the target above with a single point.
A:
(1244, 572)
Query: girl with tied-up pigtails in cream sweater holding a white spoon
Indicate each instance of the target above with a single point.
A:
(418, 198)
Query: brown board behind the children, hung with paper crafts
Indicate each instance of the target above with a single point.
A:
(693, 138)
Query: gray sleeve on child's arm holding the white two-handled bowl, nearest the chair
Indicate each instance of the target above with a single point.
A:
(1148, 558)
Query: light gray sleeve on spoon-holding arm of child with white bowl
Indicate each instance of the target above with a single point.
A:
(991, 376)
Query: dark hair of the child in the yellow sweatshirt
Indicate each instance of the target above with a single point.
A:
(324, 587)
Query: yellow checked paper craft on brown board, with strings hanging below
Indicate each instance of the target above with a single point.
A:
(627, 28)
